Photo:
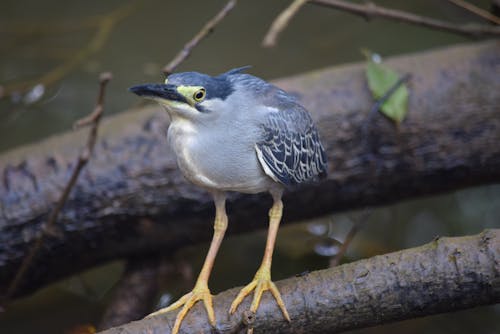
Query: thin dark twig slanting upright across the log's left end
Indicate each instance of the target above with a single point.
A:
(81, 162)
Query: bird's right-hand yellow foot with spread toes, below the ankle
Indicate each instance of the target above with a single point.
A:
(261, 282)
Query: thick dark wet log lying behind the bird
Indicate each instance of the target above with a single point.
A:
(131, 198)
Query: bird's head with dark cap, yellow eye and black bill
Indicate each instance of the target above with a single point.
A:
(191, 95)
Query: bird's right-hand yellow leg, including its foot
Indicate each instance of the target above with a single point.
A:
(262, 280)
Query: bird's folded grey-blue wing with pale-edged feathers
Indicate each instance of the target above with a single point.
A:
(291, 151)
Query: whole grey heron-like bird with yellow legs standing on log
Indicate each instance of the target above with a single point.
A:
(235, 132)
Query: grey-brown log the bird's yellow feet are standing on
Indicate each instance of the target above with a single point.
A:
(445, 275)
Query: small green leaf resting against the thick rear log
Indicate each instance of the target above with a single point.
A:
(380, 80)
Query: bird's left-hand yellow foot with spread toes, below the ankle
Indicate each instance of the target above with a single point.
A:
(200, 292)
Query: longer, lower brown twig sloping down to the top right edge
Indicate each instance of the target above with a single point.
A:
(371, 10)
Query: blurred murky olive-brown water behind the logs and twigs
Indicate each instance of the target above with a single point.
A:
(66, 44)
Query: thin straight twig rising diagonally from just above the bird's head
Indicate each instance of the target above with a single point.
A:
(204, 32)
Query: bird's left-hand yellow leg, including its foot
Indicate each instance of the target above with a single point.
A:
(200, 290)
